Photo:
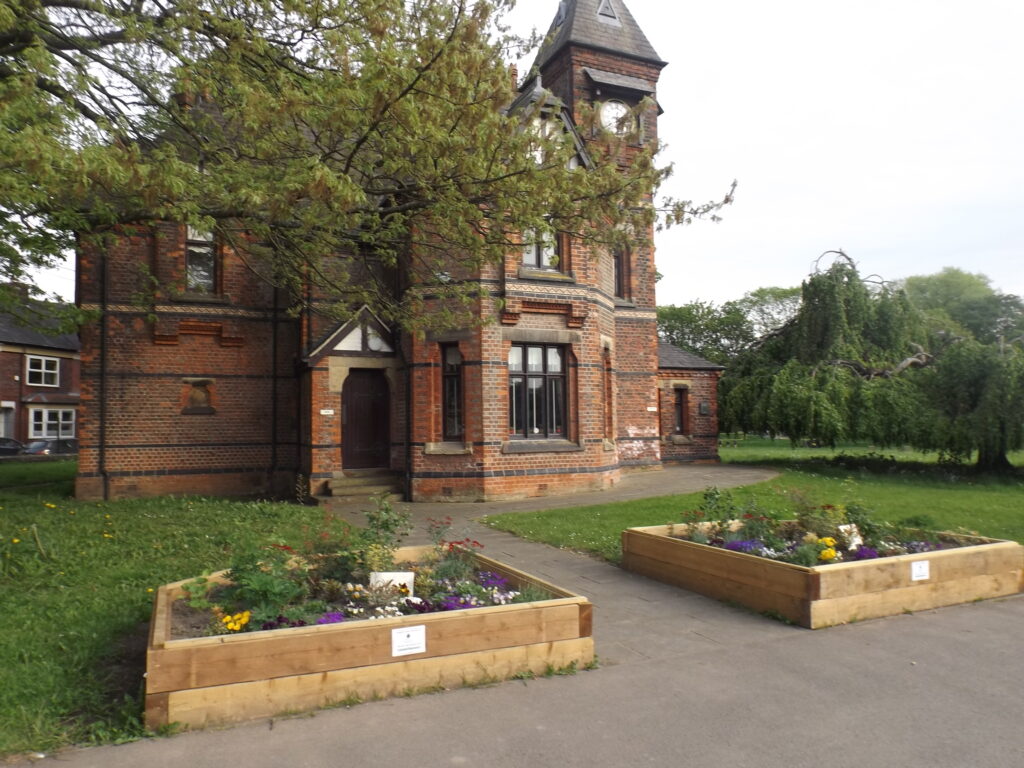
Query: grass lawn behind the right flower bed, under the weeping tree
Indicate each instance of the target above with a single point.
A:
(899, 486)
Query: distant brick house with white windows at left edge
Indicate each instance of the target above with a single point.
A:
(39, 382)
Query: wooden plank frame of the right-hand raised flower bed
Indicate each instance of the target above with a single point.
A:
(827, 595)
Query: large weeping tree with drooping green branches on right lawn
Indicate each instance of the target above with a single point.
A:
(861, 362)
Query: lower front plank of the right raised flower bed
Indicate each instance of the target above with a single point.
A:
(922, 596)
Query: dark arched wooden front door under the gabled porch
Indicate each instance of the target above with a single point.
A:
(366, 434)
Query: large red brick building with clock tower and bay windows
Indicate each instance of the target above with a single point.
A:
(216, 390)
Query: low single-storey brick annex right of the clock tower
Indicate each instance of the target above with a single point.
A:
(688, 391)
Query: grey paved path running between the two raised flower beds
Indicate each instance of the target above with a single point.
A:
(684, 681)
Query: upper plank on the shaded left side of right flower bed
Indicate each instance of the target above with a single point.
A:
(757, 573)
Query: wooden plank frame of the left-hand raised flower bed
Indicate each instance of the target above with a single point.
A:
(231, 678)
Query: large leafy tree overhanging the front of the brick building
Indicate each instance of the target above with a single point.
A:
(296, 132)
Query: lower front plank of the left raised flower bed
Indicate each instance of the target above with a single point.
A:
(263, 699)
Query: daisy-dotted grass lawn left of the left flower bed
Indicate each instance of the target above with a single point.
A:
(76, 582)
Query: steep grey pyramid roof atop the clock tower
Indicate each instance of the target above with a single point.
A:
(605, 25)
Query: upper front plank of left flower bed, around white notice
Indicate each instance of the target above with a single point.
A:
(257, 656)
